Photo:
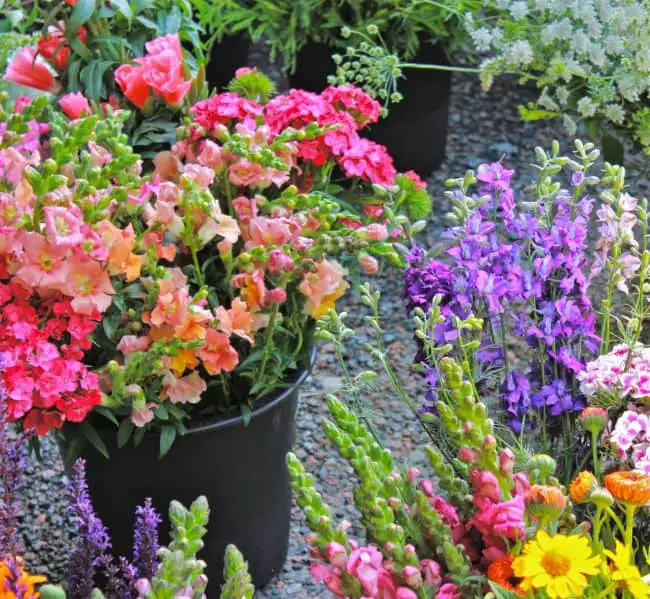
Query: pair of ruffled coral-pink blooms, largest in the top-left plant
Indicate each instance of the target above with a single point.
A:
(161, 71)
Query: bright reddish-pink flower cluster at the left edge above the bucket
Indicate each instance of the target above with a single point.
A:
(45, 380)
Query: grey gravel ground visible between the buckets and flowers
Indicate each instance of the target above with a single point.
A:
(482, 128)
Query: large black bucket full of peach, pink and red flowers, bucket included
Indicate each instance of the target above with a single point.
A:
(177, 309)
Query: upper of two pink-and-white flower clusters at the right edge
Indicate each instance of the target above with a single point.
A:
(612, 374)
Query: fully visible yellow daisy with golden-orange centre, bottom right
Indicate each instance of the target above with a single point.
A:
(559, 565)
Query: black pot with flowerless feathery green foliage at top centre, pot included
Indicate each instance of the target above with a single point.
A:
(306, 34)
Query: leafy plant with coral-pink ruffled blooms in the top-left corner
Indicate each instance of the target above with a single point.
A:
(128, 55)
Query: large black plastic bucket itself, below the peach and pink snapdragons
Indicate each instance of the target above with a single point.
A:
(240, 469)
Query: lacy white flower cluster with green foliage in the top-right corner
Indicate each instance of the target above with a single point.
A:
(591, 57)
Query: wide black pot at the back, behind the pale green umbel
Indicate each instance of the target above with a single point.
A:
(415, 130)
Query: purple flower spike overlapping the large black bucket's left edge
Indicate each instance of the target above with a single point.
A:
(93, 543)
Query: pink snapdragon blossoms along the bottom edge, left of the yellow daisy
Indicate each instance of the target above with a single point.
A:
(378, 577)
